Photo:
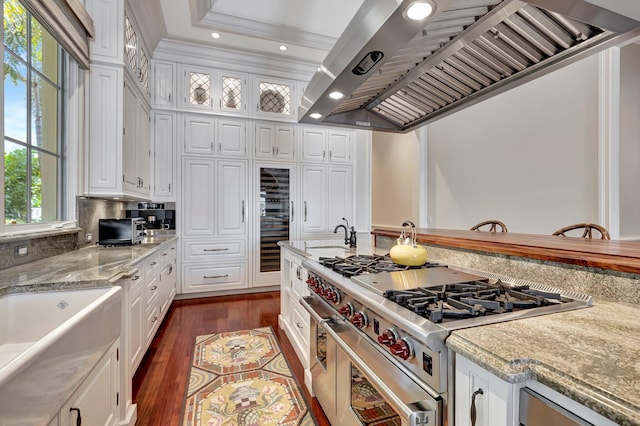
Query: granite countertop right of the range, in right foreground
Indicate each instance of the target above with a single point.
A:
(589, 355)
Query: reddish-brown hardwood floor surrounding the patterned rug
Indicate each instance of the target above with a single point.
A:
(160, 382)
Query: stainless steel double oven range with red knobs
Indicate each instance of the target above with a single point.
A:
(378, 332)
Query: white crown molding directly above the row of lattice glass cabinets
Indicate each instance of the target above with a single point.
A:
(253, 63)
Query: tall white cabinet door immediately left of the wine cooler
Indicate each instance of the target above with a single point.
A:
(232, 199)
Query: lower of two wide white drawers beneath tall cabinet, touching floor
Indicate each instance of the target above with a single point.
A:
(199, 278)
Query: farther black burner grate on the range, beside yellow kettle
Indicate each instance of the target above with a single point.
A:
(367, 264)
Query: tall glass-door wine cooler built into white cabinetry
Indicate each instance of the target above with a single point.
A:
(275, 218)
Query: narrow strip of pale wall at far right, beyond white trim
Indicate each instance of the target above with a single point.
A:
(630, 142)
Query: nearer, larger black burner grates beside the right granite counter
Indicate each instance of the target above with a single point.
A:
(471, 299)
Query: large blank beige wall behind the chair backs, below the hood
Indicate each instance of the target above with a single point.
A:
(527, 157)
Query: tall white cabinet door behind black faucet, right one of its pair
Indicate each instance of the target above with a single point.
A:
(339, 193)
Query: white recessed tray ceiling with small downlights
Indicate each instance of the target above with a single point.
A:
(308, 28)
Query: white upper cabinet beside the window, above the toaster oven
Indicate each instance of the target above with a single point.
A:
(118, 152)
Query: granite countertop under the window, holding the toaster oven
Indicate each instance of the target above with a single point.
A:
(93, 266)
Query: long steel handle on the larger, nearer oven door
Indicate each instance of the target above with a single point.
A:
(424, 411)
